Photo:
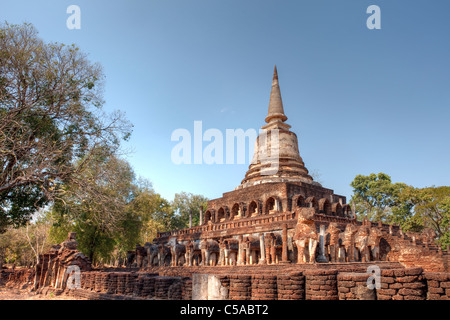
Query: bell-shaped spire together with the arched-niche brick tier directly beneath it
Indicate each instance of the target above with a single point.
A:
(277, 179)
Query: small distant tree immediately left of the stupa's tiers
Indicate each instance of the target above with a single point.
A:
(186, 204)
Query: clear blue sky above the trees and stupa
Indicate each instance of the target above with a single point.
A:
(359, 100)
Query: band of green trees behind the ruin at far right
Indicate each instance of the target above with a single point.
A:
(412, 208)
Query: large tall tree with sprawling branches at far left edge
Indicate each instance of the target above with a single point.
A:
(52, 122)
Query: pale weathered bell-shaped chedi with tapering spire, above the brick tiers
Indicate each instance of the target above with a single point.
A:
(276, 155)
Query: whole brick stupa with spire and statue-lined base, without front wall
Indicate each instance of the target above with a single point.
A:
(280, 215)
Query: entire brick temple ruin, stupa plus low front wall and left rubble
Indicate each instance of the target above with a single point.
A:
(278, 235)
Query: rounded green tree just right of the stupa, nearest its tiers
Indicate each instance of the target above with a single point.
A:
(374, 195)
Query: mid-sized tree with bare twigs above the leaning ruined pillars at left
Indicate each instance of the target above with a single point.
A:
(95, 206)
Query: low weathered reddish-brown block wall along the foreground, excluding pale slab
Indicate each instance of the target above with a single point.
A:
(319, 284)
